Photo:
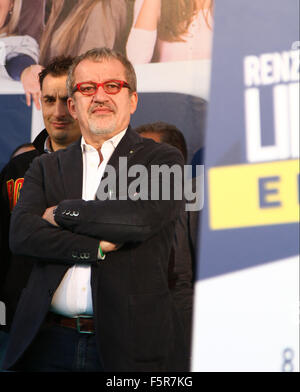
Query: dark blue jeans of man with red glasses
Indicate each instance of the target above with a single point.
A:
(60, 349)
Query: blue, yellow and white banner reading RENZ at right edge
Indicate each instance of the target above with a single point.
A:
(246, 312)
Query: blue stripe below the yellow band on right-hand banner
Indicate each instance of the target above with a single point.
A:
(224, 251)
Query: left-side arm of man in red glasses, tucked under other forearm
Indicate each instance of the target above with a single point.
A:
(32, 235)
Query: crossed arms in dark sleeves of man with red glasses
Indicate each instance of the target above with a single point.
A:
(35, 232)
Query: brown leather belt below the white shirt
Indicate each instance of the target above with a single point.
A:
(83, 324)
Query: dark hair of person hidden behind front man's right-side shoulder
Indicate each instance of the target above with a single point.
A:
(168, 133)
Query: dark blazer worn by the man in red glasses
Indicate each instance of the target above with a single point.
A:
(137, 325)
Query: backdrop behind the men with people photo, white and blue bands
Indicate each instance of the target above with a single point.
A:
(170, 34)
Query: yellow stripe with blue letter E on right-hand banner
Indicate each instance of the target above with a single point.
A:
(254, 194)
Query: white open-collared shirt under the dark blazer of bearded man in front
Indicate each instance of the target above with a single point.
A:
(73, 296)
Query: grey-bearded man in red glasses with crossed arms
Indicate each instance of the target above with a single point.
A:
(97, 299)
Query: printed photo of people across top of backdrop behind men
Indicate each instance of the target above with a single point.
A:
(146, 30)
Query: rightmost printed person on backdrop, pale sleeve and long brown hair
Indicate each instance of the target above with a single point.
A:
(170, 31)
